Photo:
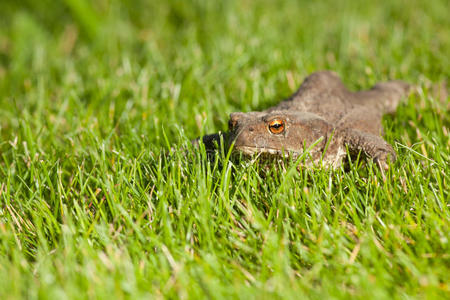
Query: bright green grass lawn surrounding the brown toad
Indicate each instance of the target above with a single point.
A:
(94, 93)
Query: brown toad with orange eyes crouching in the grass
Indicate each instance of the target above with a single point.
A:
(322, 111)
